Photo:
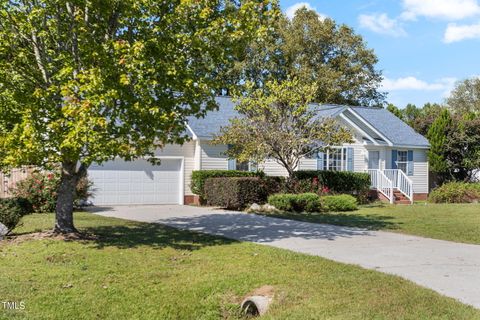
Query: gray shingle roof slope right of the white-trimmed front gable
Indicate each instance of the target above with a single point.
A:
(390, 126)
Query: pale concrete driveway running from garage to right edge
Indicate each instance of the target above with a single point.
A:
(450, 268)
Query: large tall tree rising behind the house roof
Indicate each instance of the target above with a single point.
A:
(315, 50)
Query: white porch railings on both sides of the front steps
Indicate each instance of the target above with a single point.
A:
(385, 181)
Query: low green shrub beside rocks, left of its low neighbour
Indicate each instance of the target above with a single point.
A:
(305, 202)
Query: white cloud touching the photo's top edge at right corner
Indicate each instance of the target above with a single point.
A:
(443, 9)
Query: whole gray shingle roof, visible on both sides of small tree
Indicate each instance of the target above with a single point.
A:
(394, 129)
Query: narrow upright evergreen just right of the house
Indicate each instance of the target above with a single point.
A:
(437, 136)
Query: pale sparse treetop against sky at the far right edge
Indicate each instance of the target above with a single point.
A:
(465, 97)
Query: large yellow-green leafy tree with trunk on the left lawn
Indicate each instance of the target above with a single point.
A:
(87, 81)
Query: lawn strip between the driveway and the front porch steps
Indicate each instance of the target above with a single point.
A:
(453, 222)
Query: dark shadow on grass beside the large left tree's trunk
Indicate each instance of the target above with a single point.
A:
(152, 235)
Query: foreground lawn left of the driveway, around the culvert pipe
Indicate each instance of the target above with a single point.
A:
(146, 271)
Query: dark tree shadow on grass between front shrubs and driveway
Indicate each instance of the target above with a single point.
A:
(370, 222)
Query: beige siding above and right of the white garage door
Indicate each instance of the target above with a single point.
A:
(187, 151)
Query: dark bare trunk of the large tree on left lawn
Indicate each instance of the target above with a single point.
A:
(66, 196)
